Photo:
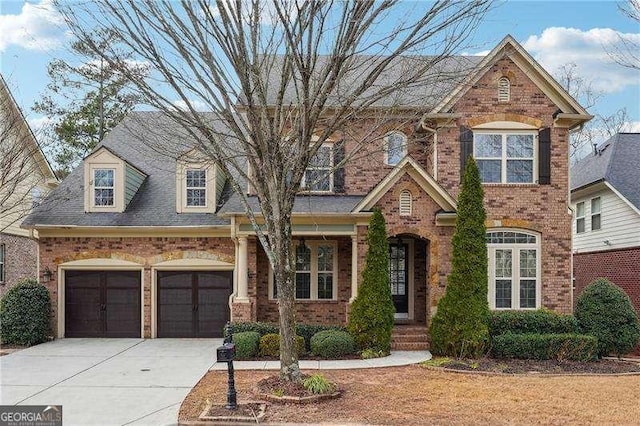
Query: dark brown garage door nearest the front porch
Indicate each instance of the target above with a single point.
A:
(193, 303)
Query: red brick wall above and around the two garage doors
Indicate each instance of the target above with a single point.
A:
(143, 250)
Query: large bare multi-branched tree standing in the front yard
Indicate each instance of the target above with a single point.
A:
(283, 77)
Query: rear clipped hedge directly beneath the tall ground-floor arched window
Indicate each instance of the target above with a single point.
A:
(541, 321)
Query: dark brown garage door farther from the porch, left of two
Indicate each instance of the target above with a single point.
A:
(102, 303)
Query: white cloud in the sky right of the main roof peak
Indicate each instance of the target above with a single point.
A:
(558, 46)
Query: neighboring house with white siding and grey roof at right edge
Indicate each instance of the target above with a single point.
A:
(605, 197)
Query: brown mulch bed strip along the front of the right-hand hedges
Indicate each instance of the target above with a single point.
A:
(520, 366)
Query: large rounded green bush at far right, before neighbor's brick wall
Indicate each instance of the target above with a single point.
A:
(605, 311)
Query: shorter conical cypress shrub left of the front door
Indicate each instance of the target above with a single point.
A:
(371, 317)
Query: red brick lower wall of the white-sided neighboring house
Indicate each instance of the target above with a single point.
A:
(621, 267)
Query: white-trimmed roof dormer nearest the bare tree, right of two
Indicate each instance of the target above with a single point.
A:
(199, 184)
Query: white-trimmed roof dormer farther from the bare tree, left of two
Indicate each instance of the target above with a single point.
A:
(110, 182)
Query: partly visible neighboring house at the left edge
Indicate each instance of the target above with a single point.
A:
(25, 178)
